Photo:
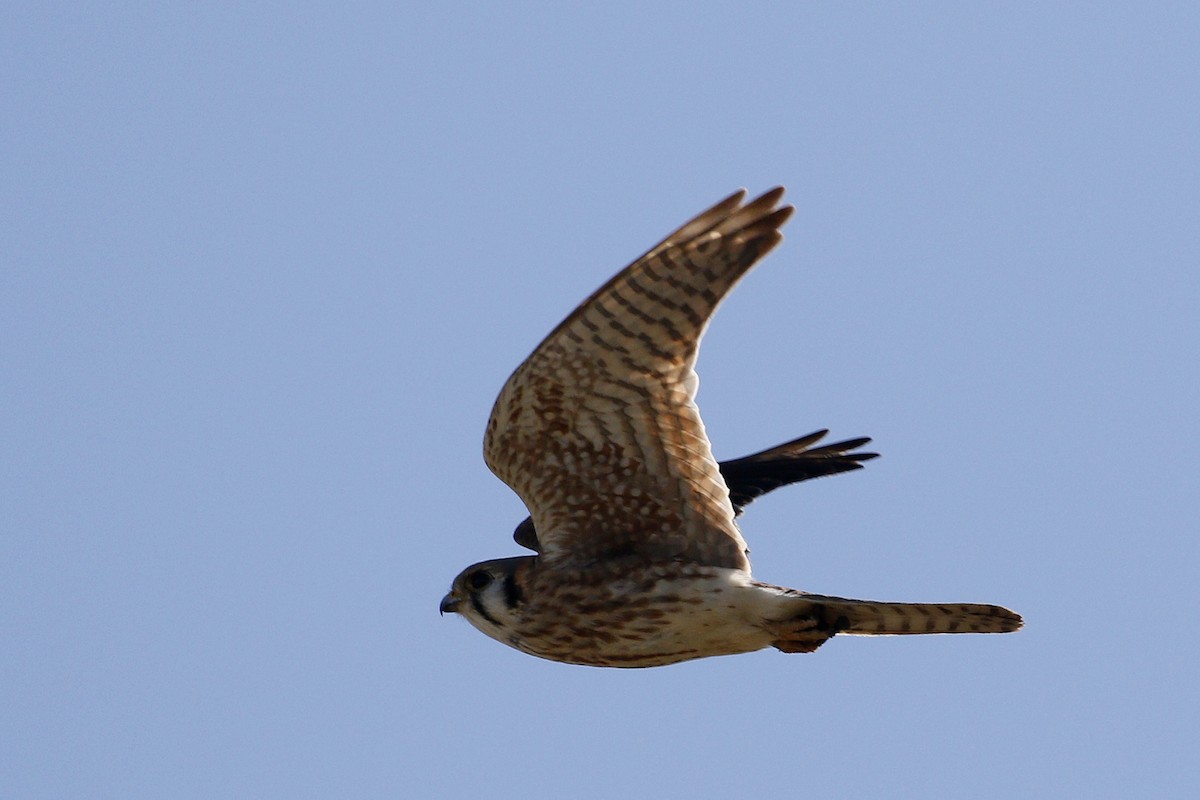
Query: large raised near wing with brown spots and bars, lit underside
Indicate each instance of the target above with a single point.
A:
(598, 431)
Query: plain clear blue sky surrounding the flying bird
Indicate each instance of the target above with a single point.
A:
(265, 269)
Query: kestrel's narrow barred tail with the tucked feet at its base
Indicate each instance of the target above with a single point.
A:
(819, 618)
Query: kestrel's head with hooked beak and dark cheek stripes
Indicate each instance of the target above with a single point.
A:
(490, 596)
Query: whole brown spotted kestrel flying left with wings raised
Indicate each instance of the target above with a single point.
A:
(639, 560)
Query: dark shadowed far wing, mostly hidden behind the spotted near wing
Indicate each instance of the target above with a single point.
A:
(752, 477)
